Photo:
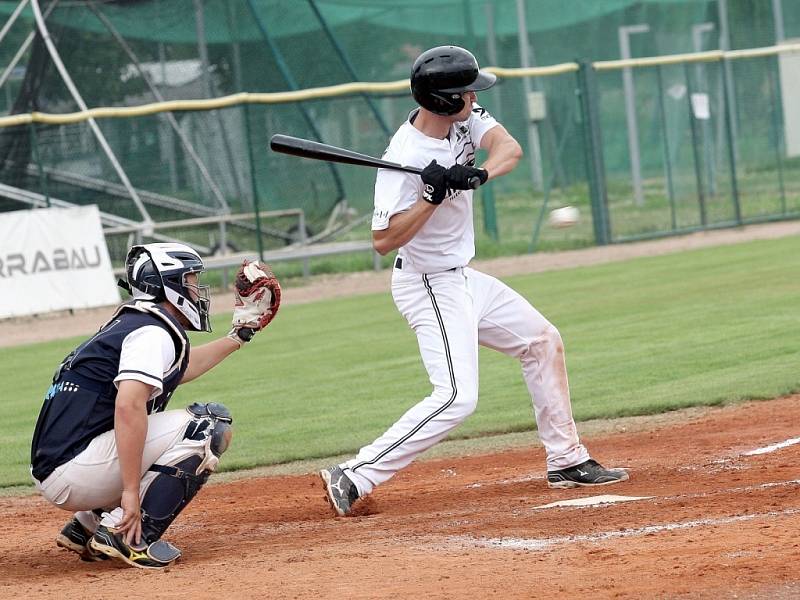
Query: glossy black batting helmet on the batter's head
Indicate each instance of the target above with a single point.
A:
(441, 75)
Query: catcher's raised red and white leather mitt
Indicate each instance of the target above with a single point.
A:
(257, 297)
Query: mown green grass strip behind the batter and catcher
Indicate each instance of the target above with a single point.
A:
(644, 336)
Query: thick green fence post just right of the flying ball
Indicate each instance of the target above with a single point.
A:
(595, 165)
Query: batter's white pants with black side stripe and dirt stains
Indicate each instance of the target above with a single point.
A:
(452, 313)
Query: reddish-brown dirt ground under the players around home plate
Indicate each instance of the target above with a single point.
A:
(712, 511)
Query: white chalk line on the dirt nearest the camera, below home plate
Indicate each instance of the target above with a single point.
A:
(542, 544)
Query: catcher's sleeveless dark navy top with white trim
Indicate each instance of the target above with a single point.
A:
(80, 403)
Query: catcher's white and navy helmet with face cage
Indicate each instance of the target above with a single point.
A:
(158, 272)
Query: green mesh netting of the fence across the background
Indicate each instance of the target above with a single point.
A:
(696, 172)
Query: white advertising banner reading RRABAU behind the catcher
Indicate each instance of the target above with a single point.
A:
(53, 259)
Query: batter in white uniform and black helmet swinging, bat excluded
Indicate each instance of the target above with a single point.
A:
(452, 307)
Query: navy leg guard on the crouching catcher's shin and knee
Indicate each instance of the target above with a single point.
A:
(182, 470)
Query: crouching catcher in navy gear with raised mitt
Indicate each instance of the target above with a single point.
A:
(103, 446)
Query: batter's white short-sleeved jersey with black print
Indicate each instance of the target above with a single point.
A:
(447, 239)
